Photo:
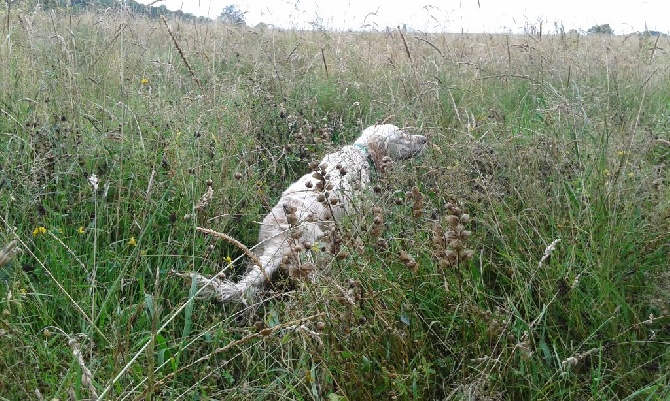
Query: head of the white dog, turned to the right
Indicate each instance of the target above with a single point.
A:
(389, 140)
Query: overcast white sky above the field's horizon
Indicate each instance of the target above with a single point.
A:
(443, 15)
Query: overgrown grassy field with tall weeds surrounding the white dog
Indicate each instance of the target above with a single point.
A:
(524, 256)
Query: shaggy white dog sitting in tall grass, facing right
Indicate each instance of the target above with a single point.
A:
(315, 202)
